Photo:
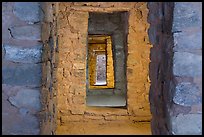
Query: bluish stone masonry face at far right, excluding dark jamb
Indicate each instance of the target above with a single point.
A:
(186, 111)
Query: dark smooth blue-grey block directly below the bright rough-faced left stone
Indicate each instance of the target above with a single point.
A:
(12, 74)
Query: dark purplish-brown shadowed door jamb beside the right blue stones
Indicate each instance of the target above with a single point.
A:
(160, 96)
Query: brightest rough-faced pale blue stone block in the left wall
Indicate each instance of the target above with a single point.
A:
(24, 55)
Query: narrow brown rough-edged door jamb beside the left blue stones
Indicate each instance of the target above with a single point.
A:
(48, 112)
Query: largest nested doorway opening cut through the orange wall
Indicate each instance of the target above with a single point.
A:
(106, 59)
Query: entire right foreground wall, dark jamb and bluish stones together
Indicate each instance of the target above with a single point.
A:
(176, 67)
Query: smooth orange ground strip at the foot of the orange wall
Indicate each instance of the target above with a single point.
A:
(107, 128)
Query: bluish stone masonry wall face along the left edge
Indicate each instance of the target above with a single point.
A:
(21, 67)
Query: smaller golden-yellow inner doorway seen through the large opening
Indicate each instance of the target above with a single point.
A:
(100, 62)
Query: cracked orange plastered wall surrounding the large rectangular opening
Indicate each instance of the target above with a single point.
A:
(71, 73)
